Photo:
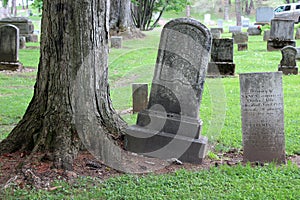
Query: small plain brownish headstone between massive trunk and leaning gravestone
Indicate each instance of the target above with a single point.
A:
(139, 96)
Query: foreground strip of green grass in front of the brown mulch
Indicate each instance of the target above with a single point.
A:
(239, 182)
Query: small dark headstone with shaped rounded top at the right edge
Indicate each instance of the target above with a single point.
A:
(288, 62)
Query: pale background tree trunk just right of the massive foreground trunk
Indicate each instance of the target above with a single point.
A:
(120, 21)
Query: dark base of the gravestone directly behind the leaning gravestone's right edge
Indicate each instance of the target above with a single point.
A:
(221, 68)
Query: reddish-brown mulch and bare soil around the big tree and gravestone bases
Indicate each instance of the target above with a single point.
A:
(15, 170)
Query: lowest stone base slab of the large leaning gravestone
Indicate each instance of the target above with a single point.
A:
(155, 144)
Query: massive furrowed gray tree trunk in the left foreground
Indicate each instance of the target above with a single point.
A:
(71, 101)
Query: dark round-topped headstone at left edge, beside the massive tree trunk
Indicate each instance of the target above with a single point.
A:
(9, 47)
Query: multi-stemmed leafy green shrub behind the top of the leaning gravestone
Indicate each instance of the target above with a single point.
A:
(147, 13)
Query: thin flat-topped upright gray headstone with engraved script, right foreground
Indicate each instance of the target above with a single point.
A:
(262, 117)
